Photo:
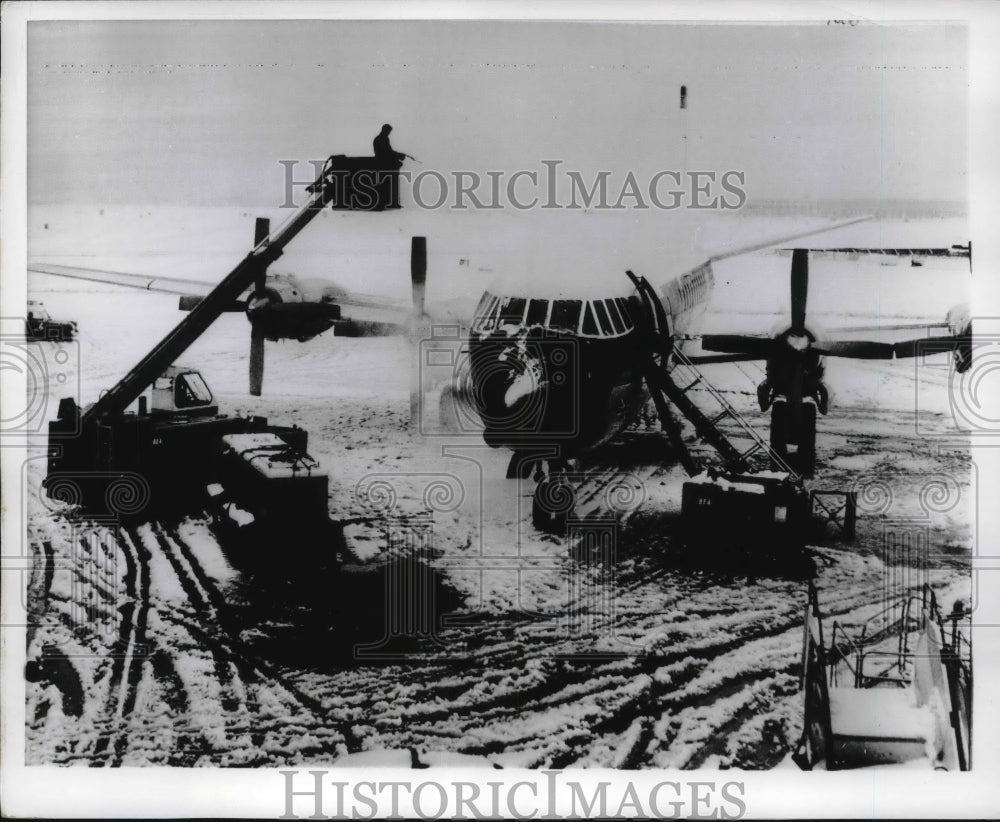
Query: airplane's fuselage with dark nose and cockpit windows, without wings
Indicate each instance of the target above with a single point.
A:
(561, 374)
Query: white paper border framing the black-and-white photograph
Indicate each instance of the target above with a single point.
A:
(68, 792)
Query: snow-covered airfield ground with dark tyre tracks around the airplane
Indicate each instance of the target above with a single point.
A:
(170, 650)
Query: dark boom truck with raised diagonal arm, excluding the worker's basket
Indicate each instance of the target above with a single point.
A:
(162, 458)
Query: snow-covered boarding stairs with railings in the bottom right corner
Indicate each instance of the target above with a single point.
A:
(896, 692)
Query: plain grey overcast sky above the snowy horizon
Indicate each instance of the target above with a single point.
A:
(200, 112)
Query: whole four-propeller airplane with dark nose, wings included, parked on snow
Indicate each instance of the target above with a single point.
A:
(556, 365)
